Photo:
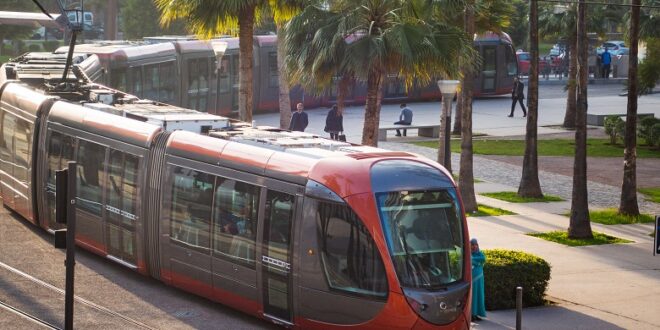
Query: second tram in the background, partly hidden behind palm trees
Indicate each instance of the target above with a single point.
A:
(204, 75)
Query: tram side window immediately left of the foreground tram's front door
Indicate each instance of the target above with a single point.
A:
(235, 221)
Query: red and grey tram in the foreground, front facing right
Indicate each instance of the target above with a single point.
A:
(299, 230)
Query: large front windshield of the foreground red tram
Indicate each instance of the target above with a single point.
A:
(424, 235)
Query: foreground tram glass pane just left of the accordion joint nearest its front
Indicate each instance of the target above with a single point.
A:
(122, 187)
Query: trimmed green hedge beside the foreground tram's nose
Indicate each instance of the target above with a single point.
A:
(505, 270)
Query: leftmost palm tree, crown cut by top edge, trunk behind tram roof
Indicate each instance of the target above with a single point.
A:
(208, 18)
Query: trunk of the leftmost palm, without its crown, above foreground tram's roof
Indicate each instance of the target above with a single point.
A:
(245, 60)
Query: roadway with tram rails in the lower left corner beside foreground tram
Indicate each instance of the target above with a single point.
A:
(108, 296)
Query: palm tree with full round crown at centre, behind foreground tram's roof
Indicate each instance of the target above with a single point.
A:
(380, 37)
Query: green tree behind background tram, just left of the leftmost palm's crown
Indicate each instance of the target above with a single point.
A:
(140, 19)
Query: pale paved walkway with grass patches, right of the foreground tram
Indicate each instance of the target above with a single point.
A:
(593, 287)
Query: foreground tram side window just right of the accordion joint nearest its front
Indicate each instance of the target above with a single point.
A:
(192, 198)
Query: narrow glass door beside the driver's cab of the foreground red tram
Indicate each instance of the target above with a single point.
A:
(276, 255)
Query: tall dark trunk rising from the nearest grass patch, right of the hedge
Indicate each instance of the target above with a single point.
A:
(580, 225)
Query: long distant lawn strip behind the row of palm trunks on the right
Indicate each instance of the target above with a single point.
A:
(555, 147)
